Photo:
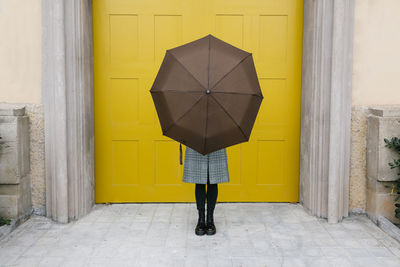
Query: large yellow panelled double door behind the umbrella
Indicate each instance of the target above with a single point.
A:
(133, 161)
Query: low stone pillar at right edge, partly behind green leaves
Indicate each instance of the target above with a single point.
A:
(382, 122)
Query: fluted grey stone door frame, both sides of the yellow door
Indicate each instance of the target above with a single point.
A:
(67, 95)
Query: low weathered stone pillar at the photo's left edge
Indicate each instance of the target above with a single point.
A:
(15, 182)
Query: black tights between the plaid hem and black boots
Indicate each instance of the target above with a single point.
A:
(211, 195)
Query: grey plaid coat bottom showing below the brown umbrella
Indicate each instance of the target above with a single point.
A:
(196, 167)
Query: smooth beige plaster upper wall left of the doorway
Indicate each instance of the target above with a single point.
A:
(20, 51)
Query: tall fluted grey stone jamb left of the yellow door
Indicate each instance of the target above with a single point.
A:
(67, 91)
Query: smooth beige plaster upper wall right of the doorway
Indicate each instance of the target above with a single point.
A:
(376, 68)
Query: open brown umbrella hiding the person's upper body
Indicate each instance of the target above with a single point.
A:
(207, 94)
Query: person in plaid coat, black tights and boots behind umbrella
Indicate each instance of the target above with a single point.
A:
(210, 169)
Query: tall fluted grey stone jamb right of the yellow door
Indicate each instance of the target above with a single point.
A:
(326, 107)
